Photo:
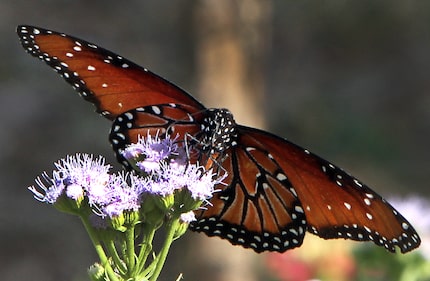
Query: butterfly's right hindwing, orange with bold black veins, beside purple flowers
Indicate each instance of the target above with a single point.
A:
(258, 207)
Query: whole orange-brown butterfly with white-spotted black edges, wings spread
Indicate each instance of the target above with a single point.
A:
(274, 191)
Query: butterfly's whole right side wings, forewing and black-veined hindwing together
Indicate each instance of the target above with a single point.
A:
(278, 180)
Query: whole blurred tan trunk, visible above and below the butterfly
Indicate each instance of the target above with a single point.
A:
(232, 40)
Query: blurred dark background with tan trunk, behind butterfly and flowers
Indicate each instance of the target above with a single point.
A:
(350, 80)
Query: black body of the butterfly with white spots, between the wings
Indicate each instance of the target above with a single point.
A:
(219, 131)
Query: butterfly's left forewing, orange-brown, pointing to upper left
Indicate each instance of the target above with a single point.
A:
(114, 84)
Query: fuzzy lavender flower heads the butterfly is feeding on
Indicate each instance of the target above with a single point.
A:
(165, 169)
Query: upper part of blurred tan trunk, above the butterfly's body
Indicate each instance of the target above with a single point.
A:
(232, 39)
